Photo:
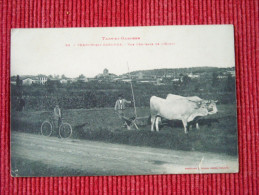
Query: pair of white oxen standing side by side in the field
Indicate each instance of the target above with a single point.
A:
(181, 108)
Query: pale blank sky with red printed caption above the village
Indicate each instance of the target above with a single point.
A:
(88, 51)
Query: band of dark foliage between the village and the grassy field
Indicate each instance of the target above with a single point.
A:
(103, 93)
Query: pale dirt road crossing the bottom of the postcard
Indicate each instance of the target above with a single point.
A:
(98, 158)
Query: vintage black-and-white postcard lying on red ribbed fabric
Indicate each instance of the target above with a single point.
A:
(123, 101)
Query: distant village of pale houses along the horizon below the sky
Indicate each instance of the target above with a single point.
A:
(159, 77)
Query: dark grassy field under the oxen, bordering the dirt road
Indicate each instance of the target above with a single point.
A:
(104, 125)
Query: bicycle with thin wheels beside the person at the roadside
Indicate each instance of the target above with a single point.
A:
(65, 129)
